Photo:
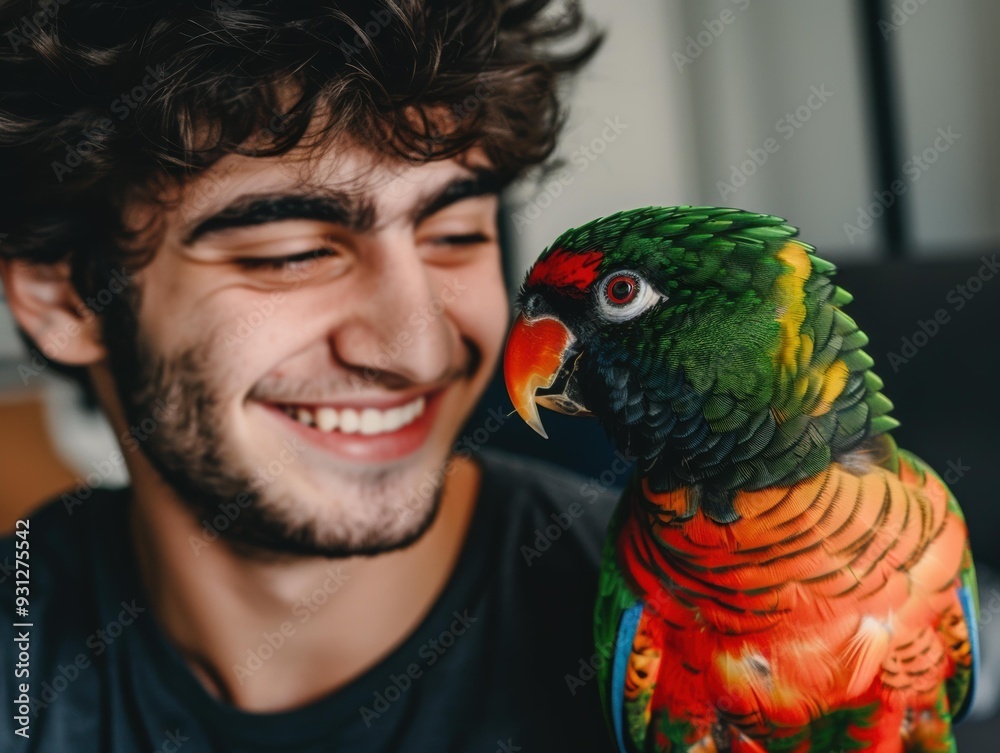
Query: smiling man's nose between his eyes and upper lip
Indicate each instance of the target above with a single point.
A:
(399, 331)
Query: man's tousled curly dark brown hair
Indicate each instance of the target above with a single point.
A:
(103, 101)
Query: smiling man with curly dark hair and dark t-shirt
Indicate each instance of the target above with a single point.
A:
(265, 234)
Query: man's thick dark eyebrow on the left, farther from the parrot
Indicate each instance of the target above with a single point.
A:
(261, 209)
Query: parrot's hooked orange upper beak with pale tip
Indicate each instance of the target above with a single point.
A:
(536, 350)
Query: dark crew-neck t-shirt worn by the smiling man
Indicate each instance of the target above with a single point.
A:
(502, 662)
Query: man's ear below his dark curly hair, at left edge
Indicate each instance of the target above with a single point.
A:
(46, 305)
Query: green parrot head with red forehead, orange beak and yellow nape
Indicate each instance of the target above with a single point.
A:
(698, 334)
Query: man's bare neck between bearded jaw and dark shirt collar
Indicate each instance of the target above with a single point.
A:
(325, 621)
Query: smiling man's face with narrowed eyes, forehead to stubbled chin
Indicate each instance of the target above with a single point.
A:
(349, 267)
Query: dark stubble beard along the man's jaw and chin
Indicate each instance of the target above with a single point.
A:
(372, 511)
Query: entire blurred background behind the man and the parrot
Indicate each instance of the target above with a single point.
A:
(870, 125)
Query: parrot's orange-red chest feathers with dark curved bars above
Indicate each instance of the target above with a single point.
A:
(836, 589)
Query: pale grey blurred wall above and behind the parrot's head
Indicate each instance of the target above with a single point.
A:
(702, 85)
